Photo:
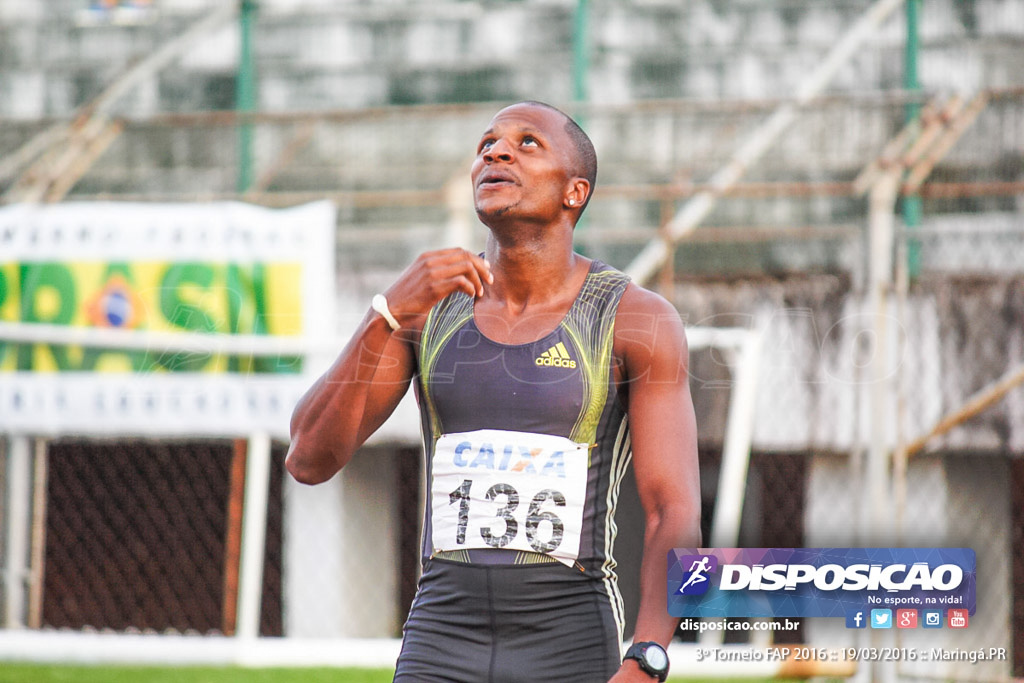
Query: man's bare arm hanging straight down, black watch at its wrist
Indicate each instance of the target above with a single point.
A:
(654, 360)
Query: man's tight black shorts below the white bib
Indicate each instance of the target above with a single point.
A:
(496, 624)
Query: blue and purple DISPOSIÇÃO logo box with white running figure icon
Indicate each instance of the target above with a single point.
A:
(818, 582)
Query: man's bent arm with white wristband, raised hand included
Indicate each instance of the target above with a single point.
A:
(372, 374)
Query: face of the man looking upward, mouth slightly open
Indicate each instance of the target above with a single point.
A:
(524, 166)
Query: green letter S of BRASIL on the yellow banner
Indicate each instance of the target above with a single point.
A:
(186, 315)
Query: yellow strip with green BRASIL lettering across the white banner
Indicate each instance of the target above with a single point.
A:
(211, 298)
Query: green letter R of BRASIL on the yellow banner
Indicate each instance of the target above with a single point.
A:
(38, 282)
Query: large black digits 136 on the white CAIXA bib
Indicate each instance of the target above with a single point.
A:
(543, 528)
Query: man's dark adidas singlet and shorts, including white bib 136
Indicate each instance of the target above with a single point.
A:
(526, 448)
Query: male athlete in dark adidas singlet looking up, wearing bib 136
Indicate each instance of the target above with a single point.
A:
(538, 372)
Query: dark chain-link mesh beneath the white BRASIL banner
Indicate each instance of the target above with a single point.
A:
(139, 535)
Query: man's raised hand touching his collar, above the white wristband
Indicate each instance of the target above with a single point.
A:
(433, 277)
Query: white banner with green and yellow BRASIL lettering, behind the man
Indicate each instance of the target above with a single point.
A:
(160, 319)
